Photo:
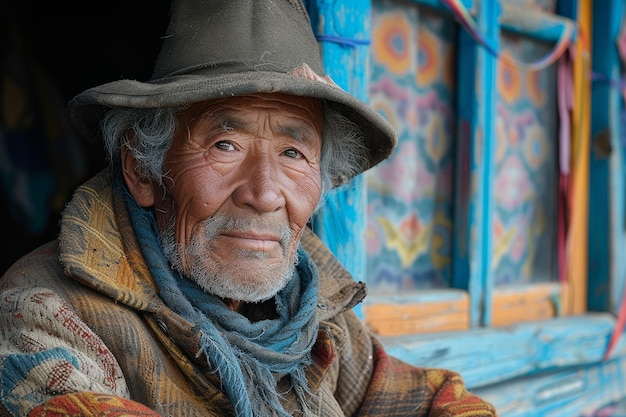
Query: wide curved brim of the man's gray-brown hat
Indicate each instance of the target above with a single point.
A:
(86, 108)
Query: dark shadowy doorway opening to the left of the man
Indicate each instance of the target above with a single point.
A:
(51, 51)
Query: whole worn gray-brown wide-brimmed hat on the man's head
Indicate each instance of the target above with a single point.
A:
(222, 48)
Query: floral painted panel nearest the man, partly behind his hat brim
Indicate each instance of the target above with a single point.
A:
(410, 196)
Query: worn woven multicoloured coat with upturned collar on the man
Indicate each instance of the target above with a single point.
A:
(84, 332)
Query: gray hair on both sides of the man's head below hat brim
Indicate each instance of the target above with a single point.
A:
(148, 135)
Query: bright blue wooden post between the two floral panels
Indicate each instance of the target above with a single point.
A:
(477, 100)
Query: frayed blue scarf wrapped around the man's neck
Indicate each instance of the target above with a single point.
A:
(245, 355)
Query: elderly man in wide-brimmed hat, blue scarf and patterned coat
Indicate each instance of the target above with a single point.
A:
(185, 281)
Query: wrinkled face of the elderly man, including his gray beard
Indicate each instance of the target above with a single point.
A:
(242, 179)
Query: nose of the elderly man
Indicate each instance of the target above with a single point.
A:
(260, 186)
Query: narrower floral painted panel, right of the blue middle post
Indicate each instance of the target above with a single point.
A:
(526, 176)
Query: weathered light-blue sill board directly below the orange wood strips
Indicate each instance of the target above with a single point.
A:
(491, 356)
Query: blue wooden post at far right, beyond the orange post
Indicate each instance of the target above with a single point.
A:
(606, 194)
